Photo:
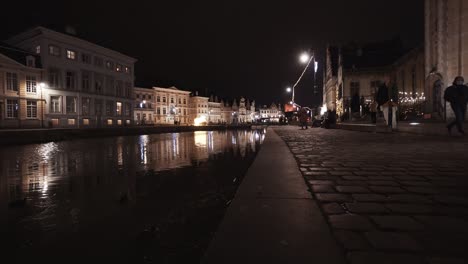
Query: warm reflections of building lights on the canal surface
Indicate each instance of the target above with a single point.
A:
(54, 187)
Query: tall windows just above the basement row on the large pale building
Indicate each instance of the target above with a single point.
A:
(111, 107)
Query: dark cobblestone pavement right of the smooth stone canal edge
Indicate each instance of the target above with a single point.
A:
(388, 198)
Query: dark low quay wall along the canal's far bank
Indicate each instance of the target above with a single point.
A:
(29, 136)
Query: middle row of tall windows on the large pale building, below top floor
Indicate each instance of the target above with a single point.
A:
(91, 82)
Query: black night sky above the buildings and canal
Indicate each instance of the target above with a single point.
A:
(233, 48)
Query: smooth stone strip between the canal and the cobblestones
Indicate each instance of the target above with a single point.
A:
(273, 217)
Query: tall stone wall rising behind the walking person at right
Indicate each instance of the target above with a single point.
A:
(446, 50)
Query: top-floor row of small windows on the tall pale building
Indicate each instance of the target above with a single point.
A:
(86, 58)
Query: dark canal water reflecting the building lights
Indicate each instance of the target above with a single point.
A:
(137, 199)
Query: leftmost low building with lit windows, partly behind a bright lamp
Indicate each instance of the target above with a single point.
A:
(21, 105)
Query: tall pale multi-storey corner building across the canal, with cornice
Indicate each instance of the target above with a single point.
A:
(86, 85)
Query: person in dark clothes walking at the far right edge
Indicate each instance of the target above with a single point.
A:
(457, 96)
